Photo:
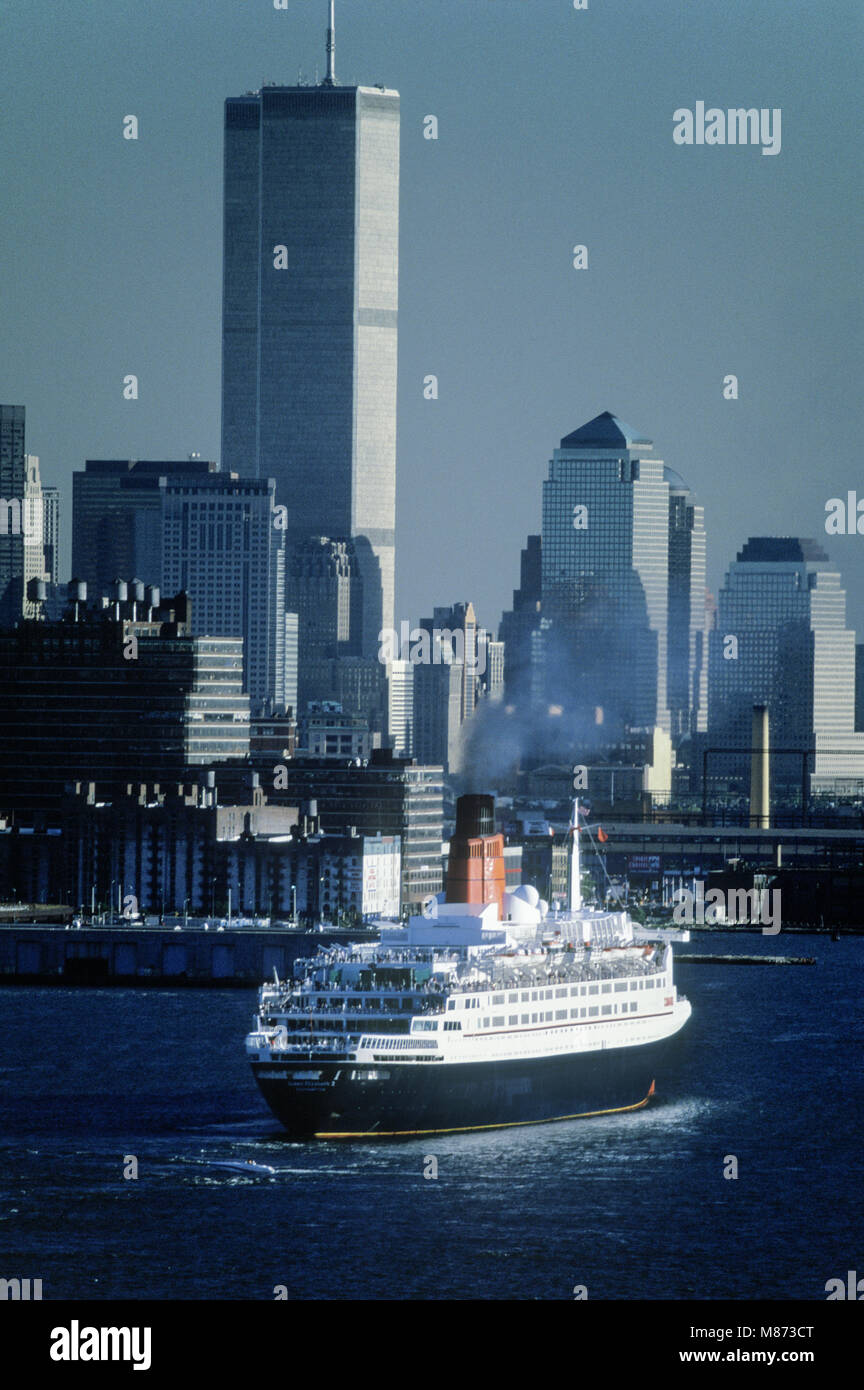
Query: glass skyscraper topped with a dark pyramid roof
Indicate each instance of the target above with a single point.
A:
(605, 583)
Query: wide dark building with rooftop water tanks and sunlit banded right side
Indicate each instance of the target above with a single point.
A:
(124, 694)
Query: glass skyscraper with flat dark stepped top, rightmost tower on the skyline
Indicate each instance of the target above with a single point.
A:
(781, 641)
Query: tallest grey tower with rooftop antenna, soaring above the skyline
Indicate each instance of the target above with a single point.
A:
(310, 315)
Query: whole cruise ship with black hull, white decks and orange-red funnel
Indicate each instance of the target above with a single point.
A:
(488, 1011)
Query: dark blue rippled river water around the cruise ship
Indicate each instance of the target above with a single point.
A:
(631, 1207)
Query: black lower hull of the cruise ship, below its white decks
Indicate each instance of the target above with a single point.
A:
(344, 1100)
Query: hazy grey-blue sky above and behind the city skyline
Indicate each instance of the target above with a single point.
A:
(555, 130)
